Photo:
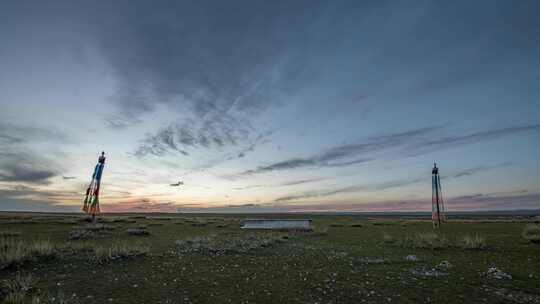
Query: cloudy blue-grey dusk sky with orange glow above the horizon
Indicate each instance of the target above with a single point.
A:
(270, 106)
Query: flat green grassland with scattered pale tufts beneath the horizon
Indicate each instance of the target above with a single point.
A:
(209, 259)
